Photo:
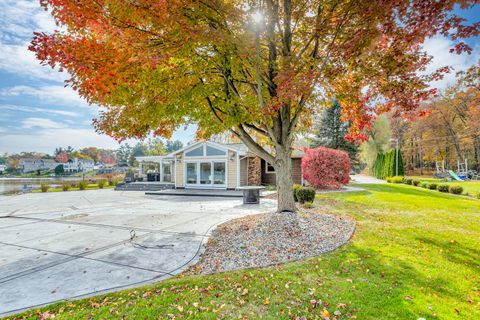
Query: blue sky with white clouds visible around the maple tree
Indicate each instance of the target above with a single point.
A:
(37, 113)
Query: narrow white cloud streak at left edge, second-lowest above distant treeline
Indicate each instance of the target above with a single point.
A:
(58, 95)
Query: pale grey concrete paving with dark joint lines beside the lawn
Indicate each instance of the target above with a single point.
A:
(67, 245)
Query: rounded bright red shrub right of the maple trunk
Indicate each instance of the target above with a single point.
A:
(326, 168)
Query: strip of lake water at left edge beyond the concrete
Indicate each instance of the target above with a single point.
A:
(17, 185)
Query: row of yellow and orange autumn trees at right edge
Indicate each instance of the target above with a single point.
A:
(448, 131)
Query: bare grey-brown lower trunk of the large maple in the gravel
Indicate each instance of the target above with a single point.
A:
(283, 168)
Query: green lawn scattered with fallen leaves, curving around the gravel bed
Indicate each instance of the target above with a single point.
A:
(415, 254)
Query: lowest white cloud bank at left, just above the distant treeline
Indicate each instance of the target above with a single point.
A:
(46, 140)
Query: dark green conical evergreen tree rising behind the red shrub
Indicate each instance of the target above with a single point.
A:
(332, 131)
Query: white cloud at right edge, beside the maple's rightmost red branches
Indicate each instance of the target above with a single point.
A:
(439, 48)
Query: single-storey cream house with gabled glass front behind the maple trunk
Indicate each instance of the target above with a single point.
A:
(207, 164)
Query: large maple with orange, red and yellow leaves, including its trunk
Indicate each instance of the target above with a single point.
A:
(258, 69)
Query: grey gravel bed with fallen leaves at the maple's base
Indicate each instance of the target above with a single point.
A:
(271, 238)
